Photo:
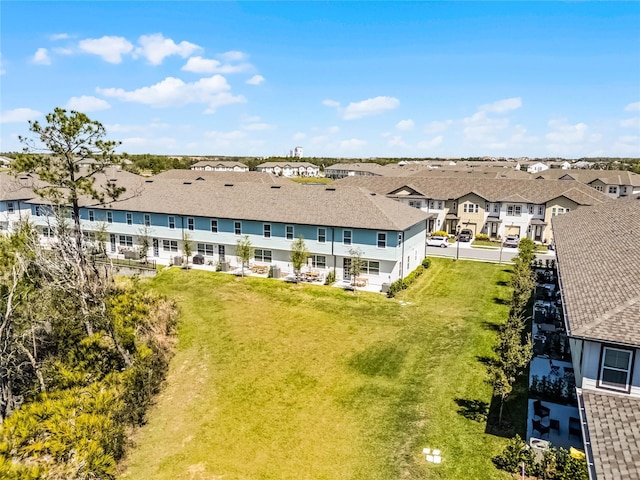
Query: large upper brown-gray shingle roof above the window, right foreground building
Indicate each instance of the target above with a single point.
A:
(598, 251)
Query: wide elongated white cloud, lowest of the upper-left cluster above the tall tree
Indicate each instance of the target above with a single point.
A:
(211, 91)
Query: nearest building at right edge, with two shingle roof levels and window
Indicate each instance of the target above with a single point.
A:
(598, 258)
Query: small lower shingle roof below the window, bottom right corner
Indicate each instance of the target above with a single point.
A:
(614, 429)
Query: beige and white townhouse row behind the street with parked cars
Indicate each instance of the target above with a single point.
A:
(496, 207)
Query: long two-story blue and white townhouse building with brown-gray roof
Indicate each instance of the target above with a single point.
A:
(213, 215)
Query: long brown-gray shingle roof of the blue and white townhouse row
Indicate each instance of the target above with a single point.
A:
(285, 203)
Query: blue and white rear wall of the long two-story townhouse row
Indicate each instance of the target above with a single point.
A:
(402, 251)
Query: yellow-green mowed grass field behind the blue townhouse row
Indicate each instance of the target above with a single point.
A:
(278, 381)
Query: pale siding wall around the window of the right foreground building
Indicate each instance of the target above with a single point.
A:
(590, 368)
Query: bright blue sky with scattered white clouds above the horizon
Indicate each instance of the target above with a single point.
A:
(340, 79)
